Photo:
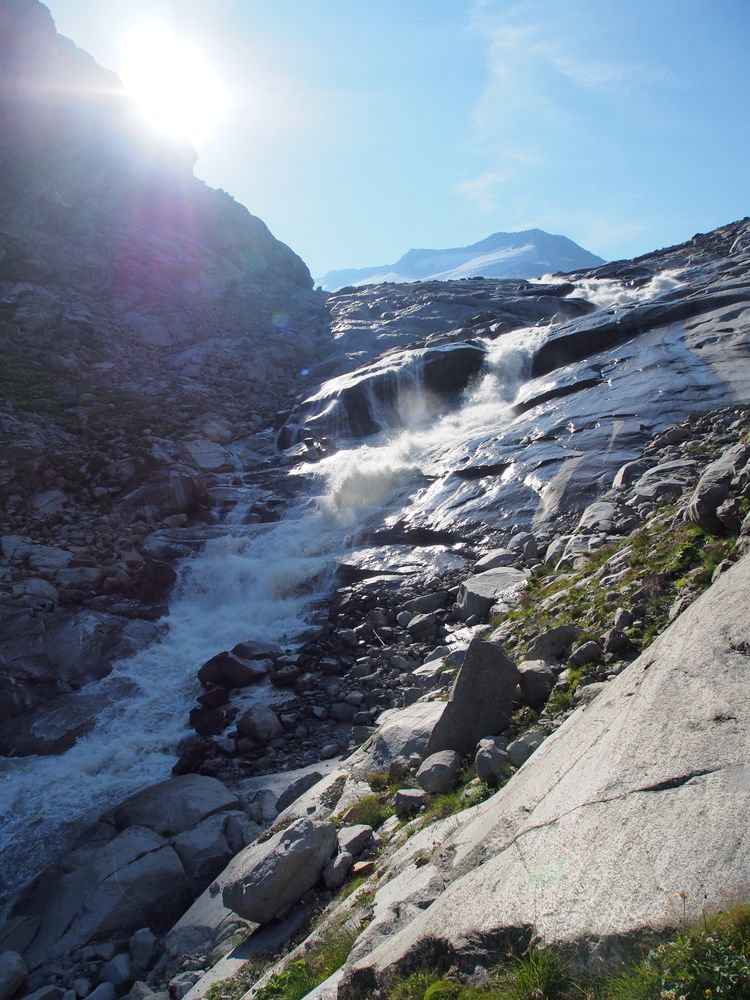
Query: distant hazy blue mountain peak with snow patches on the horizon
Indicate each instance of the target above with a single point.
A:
(528, 254)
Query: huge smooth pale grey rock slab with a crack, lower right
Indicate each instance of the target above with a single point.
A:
(628, 813)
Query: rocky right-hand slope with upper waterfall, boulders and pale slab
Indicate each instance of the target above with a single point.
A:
(575, 568)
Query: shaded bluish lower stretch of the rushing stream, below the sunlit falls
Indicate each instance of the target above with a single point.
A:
(257, 585)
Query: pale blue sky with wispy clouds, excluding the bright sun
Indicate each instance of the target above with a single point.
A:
(360, 128)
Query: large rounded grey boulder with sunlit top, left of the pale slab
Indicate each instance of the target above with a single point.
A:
(274, 875)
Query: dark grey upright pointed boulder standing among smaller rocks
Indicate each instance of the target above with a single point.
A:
(481, 700)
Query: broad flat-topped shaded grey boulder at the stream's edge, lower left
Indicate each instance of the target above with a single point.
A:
(175, 805)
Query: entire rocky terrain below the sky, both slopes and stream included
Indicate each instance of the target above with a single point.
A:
(410, 657)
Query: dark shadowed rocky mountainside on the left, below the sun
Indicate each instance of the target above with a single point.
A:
(133, 296)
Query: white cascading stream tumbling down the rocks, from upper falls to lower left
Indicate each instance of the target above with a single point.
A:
(251, 582)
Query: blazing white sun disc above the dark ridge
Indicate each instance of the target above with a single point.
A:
(172, 83)
